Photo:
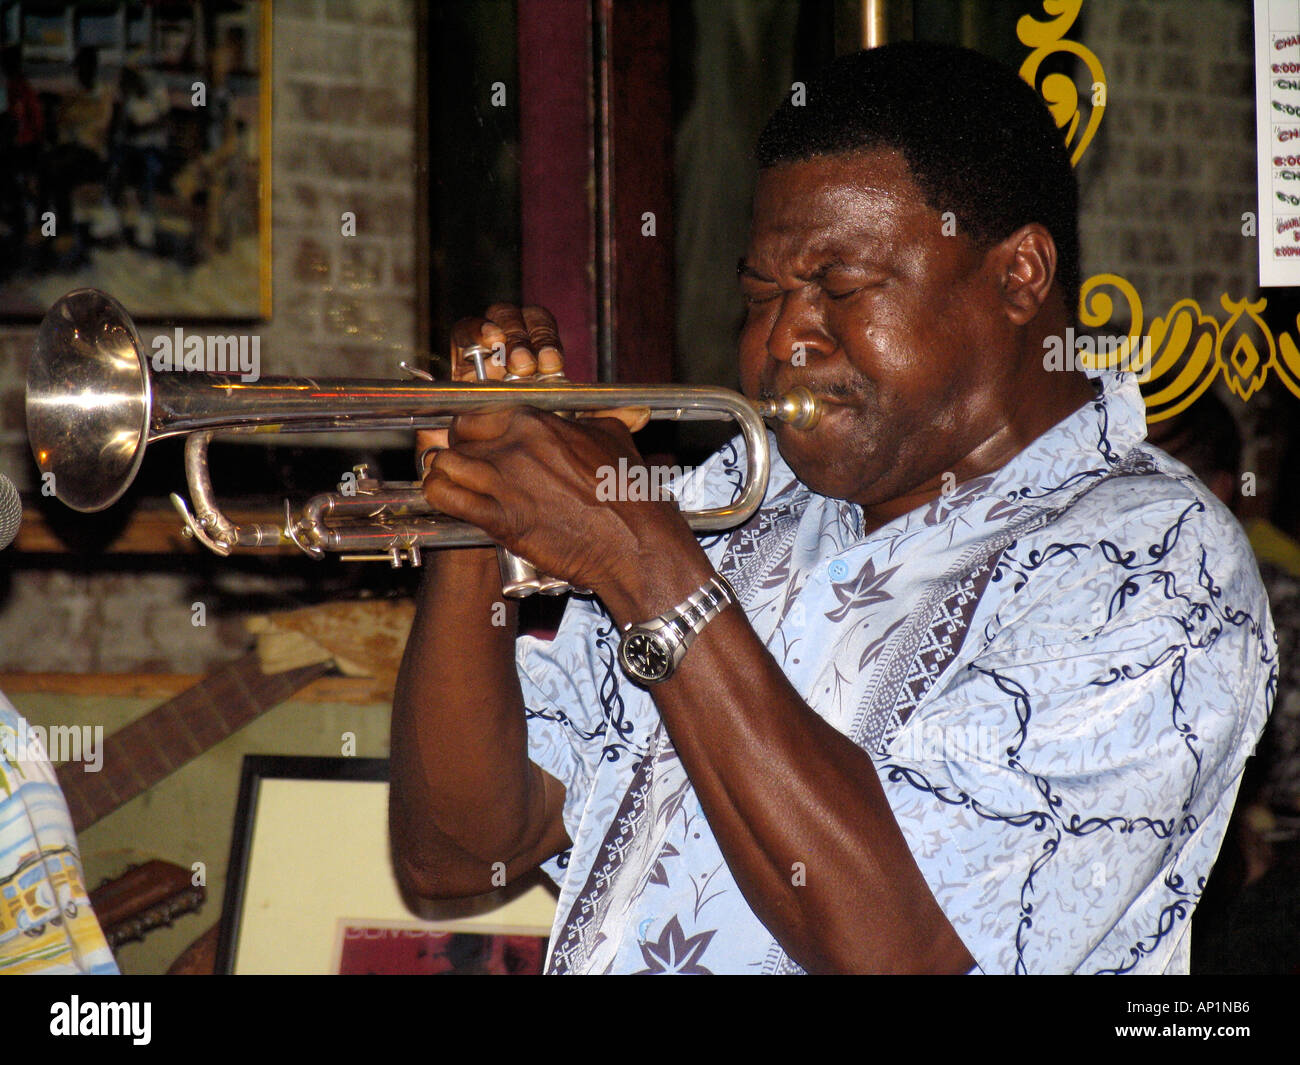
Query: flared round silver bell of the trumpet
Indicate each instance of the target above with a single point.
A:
(89, 400)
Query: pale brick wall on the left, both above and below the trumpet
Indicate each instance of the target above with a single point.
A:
(344, 99)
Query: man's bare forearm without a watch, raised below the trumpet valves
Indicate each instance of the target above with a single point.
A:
(465, 795)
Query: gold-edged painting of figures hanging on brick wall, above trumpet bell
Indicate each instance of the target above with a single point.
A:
(136, 145)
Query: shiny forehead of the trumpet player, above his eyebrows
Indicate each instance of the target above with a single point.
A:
(842, 198)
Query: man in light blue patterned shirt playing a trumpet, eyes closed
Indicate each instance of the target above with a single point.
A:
(973, 690)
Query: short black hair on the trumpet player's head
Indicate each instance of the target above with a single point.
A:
(978, 140)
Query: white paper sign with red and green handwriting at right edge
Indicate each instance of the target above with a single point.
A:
(1277, 132)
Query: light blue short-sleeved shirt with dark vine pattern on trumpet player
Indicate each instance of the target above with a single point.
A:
(1060, 670)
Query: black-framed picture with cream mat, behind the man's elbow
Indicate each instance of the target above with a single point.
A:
(311, 890)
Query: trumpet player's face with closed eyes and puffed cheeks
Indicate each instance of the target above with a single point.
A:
(853, 289)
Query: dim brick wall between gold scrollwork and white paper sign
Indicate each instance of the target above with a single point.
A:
(1172, 170)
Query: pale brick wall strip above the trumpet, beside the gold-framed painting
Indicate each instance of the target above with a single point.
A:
(345, 142)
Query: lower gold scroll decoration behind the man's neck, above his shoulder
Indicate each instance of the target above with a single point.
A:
(1178, 358)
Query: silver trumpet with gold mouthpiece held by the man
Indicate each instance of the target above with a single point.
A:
(94, 404)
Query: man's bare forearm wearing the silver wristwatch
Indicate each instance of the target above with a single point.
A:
(782, 787)
